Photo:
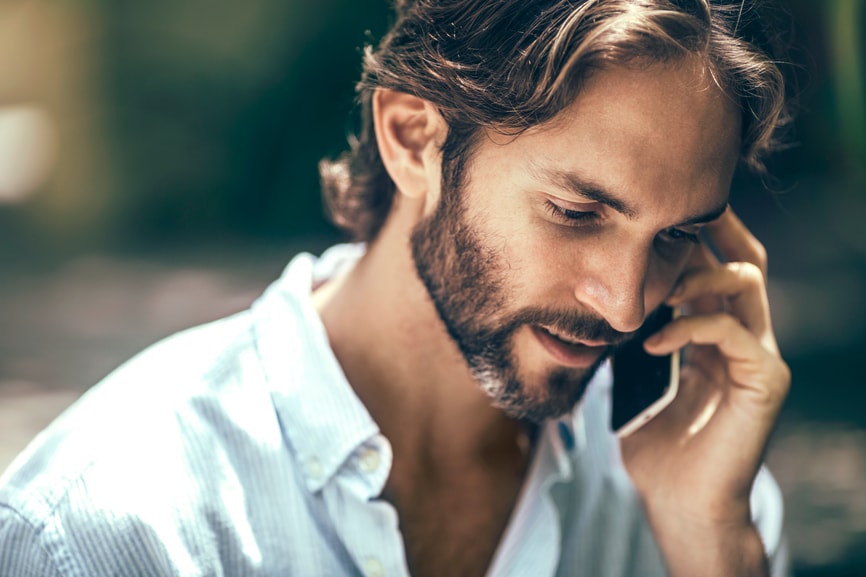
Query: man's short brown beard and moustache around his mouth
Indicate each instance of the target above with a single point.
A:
(466, 279)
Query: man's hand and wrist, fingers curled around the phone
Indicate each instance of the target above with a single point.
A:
(694, 465)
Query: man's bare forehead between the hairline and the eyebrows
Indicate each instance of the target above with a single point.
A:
(663, 130)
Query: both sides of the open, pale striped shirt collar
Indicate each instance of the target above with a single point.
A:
(322, 418)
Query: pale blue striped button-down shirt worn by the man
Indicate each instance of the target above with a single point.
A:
(239, 448)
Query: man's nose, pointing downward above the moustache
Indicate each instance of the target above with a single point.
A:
(613, 287)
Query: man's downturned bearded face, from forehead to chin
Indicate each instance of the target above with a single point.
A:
(562, 240)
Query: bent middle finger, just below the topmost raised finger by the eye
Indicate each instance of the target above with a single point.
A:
(742, 286)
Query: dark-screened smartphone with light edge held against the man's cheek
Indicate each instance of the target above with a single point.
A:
(643, 384)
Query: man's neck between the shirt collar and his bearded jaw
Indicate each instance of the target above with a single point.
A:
(404, 366)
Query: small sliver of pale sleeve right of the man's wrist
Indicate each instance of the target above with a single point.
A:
(767, 514)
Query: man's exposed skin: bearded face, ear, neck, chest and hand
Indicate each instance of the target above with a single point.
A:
(582, 227)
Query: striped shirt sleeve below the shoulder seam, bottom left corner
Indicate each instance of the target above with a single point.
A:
(21, 551)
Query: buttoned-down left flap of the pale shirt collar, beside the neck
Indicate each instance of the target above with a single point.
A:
(322, 418)
